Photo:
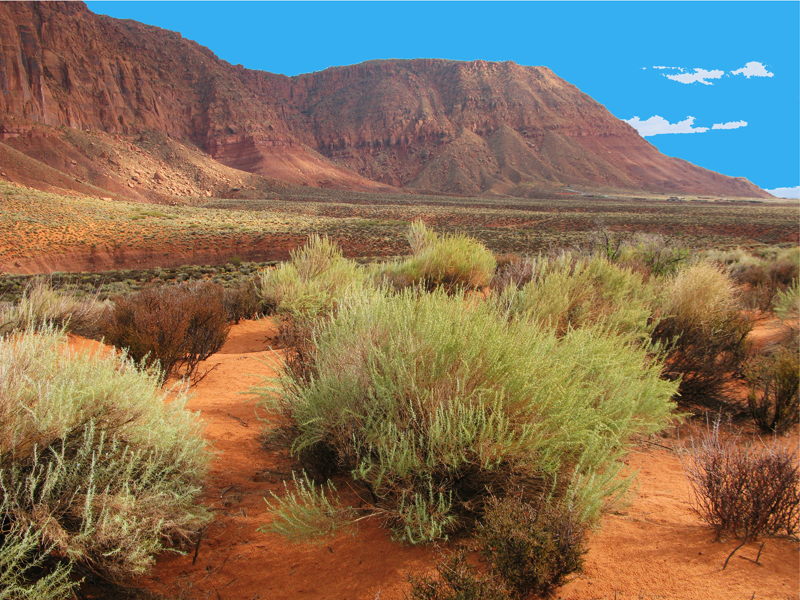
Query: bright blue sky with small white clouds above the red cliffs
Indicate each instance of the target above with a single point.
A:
(748, 54)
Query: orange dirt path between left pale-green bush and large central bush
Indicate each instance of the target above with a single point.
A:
(235, 561)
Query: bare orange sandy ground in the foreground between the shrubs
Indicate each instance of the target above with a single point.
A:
(656, 547)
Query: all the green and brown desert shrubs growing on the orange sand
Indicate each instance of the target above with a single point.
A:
(455, 391)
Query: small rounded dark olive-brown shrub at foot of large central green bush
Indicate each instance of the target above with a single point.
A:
(531, 548)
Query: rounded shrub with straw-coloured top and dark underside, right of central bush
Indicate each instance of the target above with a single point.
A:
(705, 329)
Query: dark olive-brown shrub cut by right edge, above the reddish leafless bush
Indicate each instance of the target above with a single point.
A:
(774, 398)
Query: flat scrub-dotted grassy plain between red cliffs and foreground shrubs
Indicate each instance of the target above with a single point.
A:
(98, 234)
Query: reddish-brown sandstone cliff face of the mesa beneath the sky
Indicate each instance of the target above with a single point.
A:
(428, 124)
